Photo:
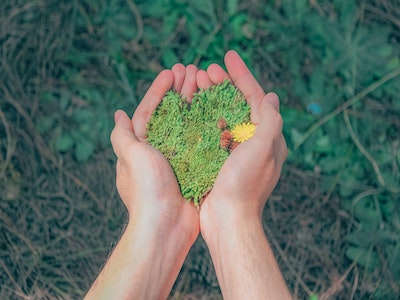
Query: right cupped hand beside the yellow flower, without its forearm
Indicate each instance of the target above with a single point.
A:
(252, 171)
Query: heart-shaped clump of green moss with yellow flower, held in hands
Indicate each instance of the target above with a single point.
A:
(197, 138)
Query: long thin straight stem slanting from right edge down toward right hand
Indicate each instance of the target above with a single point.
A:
(347, 104)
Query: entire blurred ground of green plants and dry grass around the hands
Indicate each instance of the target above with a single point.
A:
(66, 66)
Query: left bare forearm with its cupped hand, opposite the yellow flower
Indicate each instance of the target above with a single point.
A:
(162, 226)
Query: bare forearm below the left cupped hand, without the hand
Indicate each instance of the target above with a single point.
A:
(143, 265)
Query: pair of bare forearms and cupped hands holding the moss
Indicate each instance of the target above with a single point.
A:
(162, 226)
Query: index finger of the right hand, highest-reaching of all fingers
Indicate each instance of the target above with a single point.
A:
(243, 78)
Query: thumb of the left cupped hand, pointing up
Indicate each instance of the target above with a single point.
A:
(122, 134)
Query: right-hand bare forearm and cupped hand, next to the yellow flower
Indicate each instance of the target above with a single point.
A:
(231, 215)
